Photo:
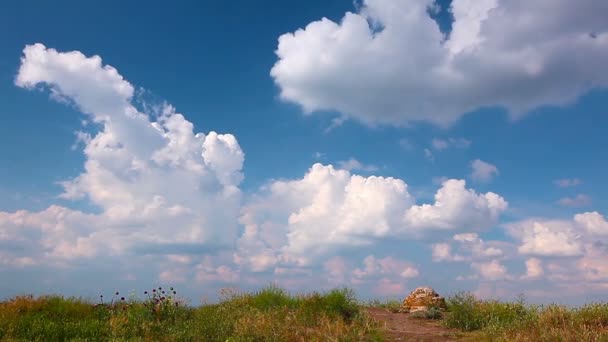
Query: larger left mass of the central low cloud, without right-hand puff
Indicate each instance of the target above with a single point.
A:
(325, 209)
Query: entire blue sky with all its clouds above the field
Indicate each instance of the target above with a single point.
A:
(380, 145)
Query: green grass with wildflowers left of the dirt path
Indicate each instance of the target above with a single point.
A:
(270, 314)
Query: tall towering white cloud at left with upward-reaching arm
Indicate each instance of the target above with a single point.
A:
(160, 187)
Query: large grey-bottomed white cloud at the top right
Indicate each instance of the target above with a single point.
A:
(390, 64)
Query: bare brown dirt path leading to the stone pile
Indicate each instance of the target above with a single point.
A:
(403, 327)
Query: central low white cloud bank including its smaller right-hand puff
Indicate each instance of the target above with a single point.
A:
(330, 210)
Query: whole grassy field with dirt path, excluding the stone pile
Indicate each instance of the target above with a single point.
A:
(272, 314)
